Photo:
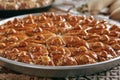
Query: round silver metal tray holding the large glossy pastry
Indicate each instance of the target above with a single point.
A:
(59, 71)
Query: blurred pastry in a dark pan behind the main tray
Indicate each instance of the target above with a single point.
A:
(9, 8)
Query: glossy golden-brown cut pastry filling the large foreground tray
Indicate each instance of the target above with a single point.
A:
(59, 40)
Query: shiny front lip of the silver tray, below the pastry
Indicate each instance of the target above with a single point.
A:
(55, 67)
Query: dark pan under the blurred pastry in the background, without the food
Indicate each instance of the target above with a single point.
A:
(11, 13)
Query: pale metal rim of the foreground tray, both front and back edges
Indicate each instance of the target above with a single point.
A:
(75, 67)
